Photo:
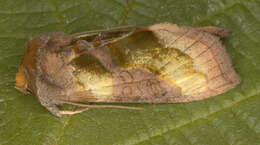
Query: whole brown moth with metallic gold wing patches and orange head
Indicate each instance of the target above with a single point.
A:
(162, 63)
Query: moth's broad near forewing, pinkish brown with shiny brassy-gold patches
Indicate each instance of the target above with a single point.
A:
(161, 64)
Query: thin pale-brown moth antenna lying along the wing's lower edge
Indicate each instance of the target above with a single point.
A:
(103, 106)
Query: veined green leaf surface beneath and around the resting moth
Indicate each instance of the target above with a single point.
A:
(230, 118)
